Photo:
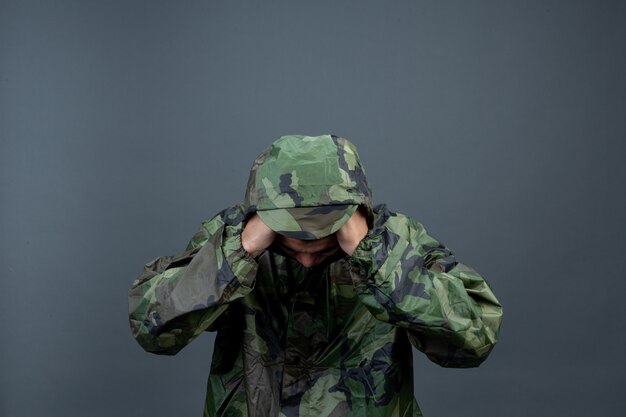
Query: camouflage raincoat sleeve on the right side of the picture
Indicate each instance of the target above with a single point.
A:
(407, 278)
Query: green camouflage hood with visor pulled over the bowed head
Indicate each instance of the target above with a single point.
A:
(307, 187)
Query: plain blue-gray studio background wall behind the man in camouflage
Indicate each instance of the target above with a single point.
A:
(497, 124)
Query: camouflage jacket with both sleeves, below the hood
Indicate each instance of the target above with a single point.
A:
(333, 340)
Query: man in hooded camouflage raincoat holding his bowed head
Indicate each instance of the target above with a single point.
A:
(316, 295)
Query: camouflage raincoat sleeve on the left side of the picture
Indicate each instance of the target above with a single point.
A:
(178, 297)
